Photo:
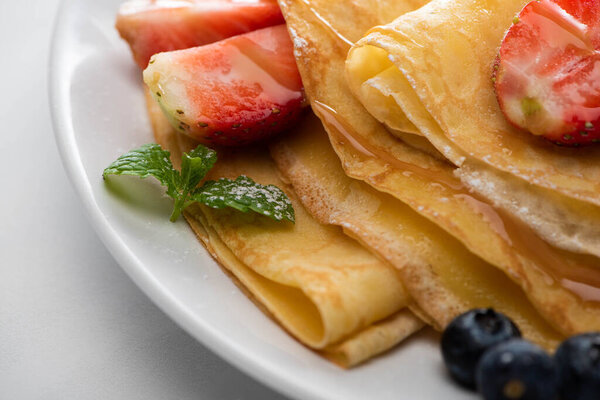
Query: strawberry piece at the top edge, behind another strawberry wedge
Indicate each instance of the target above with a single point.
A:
(154, 26)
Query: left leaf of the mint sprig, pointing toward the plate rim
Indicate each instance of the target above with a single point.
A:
(148, 160)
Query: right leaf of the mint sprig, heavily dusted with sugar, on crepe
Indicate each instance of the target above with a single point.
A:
(244, 194)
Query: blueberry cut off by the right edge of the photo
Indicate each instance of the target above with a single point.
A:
(578, 360)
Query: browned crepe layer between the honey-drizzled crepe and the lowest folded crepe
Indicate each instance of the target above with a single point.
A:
(444, 278)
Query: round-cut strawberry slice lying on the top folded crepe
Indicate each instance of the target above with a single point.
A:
(547, 75)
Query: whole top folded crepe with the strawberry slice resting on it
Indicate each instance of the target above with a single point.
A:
(411, 86)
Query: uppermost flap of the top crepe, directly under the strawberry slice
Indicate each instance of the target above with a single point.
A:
(446, 50)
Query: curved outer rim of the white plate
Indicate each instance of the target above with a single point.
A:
(65, 138)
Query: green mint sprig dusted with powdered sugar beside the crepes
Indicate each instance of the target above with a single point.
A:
(242, 194)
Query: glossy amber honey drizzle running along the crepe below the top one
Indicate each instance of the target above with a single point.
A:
(577, 273)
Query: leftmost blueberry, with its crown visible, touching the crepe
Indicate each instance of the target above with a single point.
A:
(468, 336)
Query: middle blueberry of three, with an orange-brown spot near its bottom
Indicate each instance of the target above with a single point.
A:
(517, 370)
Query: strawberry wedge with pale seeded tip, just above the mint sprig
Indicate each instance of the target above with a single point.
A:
(231, 92)
